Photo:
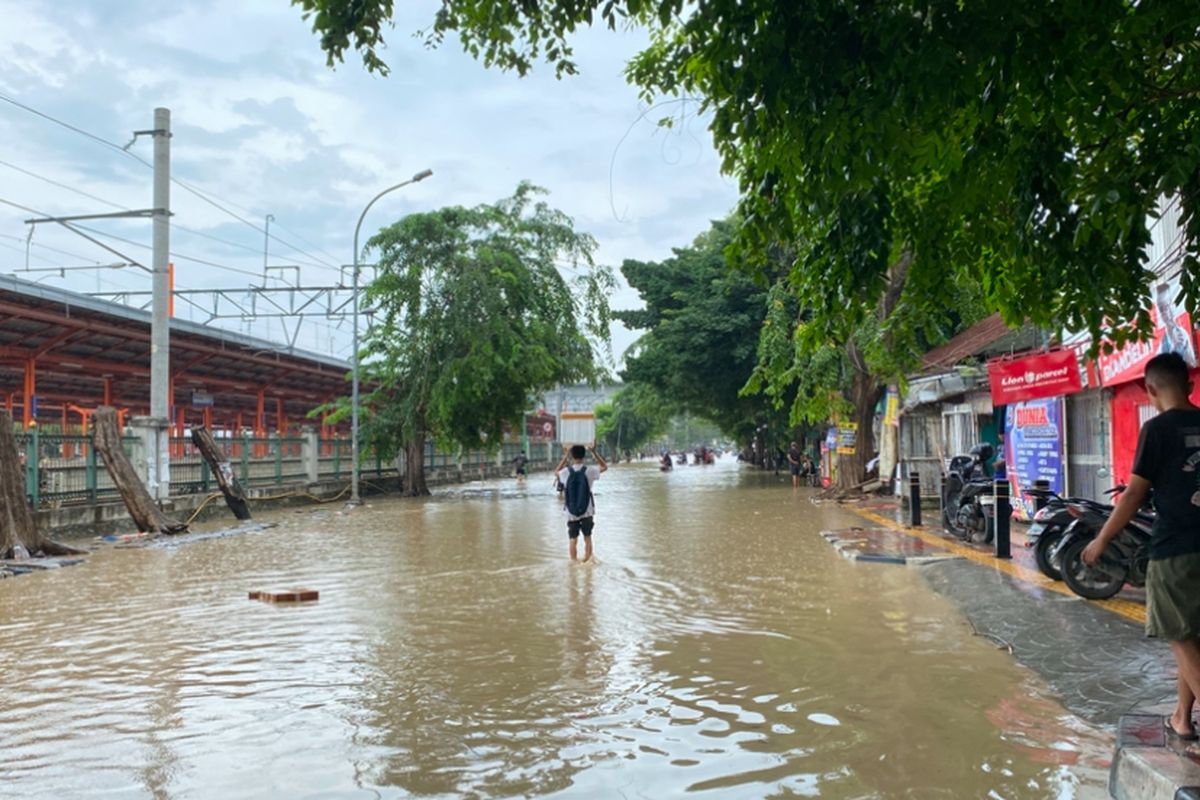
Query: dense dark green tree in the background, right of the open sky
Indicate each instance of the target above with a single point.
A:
(701, 322)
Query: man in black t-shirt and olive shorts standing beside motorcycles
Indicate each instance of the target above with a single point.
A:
(1169, 462)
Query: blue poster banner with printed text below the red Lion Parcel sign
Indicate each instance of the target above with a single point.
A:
(1034, 447)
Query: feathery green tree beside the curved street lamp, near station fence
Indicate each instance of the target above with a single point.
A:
(475, 316)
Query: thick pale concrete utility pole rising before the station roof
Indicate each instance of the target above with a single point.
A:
(160, 334)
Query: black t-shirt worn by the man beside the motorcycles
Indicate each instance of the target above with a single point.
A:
(1169, 458)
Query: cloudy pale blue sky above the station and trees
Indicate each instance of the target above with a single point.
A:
(265, 128)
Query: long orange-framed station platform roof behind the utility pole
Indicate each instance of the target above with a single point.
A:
(77, 342)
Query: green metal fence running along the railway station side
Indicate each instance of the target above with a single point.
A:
(65, 468)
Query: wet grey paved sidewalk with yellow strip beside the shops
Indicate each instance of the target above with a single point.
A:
(1094, 654)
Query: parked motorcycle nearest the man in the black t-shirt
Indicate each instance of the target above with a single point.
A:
(1125, 560)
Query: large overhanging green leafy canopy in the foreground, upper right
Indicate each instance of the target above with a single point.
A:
(1028, 143)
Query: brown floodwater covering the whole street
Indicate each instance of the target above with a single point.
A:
(717, 648)
